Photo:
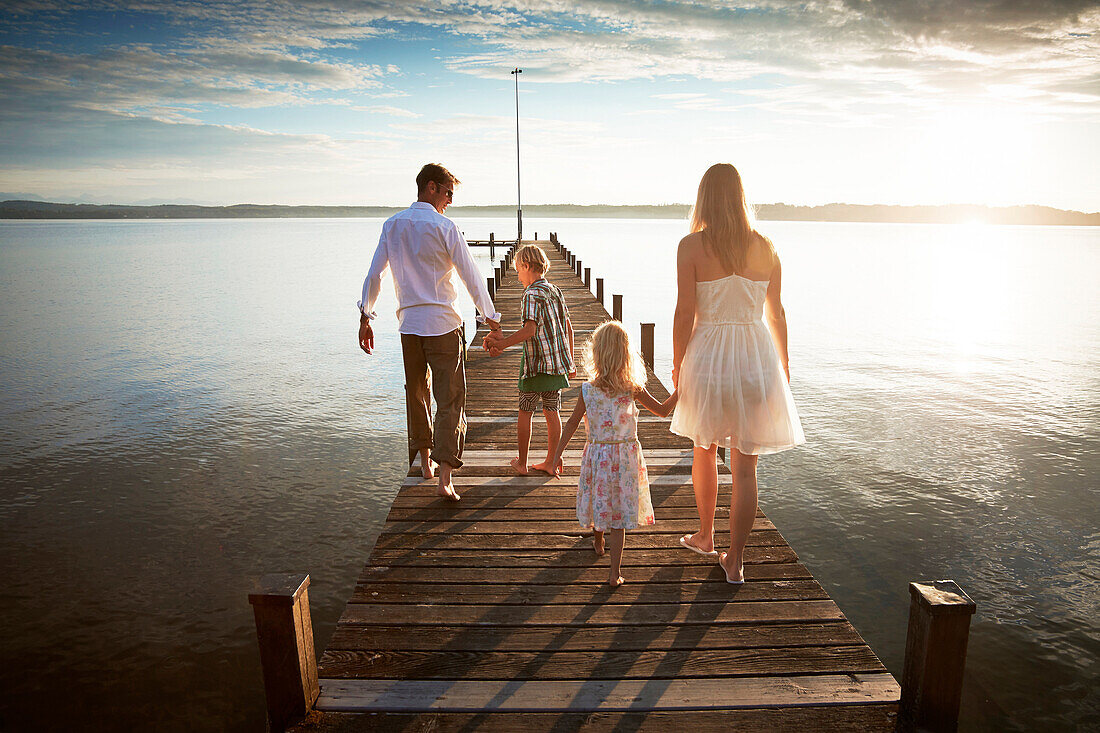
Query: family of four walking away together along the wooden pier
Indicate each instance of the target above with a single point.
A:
(731, 368)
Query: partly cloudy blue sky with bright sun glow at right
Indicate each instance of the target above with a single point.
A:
(298, 102)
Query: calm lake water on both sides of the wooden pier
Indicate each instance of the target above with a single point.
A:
(184, 408)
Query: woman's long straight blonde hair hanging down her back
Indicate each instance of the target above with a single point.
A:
(725, 218)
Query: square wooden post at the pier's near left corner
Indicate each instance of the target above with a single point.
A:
(287, 648)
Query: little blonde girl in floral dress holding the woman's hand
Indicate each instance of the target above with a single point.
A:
(613, 491)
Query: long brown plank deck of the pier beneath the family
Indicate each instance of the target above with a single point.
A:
(494, 614)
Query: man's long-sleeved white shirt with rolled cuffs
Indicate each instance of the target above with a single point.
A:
(423, 248)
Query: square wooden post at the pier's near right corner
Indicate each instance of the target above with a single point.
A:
(936, 655)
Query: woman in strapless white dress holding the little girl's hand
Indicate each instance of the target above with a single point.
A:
(731, 373)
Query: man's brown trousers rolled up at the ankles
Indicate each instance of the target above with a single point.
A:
(443, 355)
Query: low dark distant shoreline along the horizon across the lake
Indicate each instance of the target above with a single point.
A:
(854, 213)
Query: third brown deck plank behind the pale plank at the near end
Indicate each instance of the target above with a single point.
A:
(602, 610)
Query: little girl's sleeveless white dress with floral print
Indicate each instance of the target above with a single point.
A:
(613, 493)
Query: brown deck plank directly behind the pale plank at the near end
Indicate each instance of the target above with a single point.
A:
(664, 664)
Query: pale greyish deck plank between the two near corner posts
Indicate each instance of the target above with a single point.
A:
(351, 695)
